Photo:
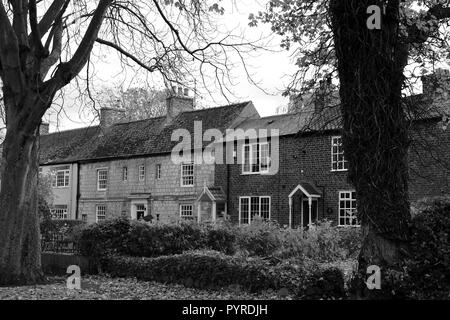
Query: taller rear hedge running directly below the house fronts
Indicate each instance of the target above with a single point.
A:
(135, 238)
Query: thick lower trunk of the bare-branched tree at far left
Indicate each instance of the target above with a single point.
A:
(20, 259)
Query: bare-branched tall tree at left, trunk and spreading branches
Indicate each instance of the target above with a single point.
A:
(45, 45)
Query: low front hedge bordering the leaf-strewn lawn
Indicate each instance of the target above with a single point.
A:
(215, 270)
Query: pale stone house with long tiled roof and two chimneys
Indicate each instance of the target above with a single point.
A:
(125, 168)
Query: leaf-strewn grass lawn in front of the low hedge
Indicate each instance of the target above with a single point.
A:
(106, 288)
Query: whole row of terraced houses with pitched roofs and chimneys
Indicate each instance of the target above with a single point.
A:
(126, 168)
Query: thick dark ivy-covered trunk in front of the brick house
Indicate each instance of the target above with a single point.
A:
(375, 132)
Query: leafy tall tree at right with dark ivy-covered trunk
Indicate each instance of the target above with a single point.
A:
(369, 64)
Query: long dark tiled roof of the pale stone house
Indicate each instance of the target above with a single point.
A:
(137, 138)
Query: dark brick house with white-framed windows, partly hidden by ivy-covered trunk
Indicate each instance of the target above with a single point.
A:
(311, 181)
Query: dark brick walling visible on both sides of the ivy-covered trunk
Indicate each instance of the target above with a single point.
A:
(308, 158)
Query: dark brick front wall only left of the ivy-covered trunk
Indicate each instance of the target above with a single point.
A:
(301, 159)
